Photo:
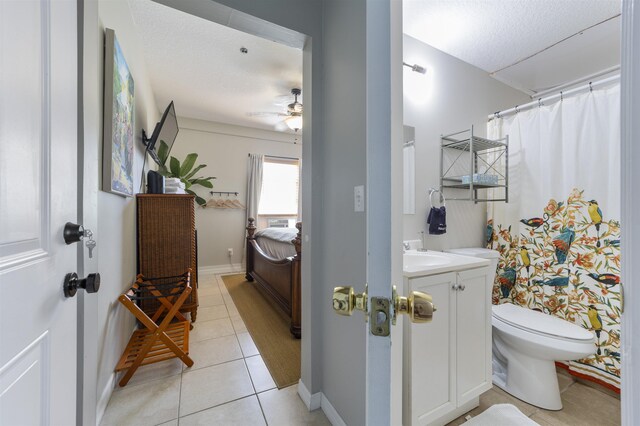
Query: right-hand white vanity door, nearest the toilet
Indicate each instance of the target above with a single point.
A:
(473, 334)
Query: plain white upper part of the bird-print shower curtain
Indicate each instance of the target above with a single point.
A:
(555, 148)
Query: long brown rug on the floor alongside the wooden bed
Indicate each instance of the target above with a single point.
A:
(269, 328)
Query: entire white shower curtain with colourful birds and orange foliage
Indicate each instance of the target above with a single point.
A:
(559, 235)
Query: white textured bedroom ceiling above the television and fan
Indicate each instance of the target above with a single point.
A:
(198, 64)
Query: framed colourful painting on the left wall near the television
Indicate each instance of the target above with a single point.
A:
(118, 120)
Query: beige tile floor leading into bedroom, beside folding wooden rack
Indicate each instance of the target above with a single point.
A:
(228, 384)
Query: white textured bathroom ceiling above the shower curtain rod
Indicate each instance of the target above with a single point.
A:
(493, 34)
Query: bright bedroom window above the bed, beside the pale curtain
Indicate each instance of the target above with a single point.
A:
(280, 187)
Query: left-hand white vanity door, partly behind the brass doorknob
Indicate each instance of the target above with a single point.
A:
(432, 353)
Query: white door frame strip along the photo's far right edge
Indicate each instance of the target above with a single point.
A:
(630, 155)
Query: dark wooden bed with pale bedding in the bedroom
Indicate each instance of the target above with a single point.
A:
(273, 262)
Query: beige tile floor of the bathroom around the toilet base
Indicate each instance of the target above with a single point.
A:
(582, 406)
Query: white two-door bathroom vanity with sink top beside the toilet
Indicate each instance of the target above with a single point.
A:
(447, 364)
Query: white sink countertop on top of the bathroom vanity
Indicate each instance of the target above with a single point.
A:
(416, 263)
